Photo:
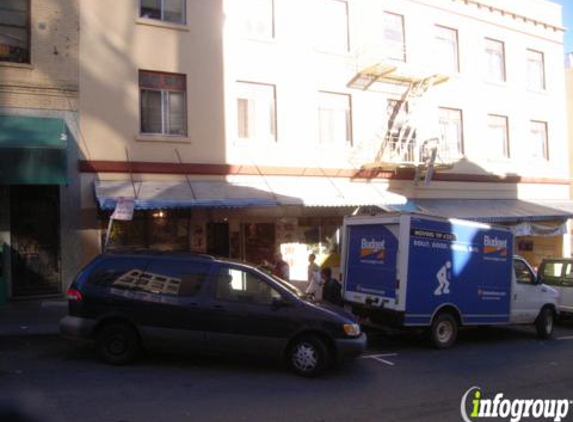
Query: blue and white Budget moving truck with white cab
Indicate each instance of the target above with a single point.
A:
(415, 270)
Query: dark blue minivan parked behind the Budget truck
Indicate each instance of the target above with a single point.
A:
(129, 301)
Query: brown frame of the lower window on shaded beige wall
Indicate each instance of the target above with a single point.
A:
(165, 105)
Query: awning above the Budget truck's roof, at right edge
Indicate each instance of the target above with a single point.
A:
(497, 210)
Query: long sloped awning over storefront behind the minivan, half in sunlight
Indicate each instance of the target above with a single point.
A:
(246, 192)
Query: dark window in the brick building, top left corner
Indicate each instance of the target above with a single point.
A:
(15, 31)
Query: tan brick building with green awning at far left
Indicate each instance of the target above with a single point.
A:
(39, 180)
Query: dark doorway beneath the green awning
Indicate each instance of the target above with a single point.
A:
(35, 228)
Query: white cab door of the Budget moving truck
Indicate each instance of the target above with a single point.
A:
(526, 294)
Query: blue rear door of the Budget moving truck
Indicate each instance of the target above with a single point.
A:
(371, 262)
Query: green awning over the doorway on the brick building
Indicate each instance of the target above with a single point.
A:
(33, 150)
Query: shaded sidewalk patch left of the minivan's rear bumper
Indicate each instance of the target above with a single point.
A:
(33, 317)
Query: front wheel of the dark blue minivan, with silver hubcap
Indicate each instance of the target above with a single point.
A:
(308, 356)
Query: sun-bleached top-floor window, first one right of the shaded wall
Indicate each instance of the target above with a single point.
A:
(255, 18)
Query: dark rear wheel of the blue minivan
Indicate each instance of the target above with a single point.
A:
(117, 343)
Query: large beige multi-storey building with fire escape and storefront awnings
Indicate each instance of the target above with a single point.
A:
(244, 127)
